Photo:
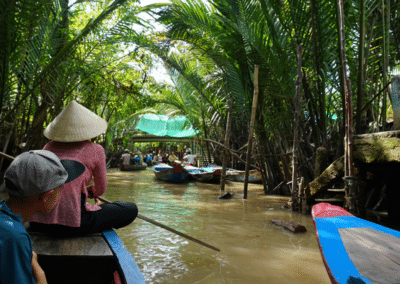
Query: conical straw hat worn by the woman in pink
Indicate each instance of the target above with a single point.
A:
(75, 123)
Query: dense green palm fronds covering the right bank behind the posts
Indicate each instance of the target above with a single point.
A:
(213, 46)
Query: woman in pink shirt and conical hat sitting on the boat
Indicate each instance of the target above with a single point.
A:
(70, 132)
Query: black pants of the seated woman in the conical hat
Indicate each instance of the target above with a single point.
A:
(111, 216)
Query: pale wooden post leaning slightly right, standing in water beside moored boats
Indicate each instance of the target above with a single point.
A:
(250, 141)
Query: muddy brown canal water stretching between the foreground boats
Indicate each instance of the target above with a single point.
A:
(252, 249)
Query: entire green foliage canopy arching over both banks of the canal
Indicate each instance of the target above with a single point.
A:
(100, 53)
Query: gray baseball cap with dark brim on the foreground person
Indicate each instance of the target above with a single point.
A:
(39, 171)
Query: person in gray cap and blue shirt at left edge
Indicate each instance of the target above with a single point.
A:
(33, 181)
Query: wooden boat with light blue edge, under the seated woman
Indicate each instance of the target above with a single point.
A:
(95, 258)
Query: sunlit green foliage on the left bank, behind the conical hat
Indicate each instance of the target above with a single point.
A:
(85, 51)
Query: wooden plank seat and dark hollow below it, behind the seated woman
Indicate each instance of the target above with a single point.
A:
(85, 259)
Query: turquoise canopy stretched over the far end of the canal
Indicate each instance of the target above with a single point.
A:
(162, 125)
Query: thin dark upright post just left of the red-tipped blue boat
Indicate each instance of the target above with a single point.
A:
(296, 131)
